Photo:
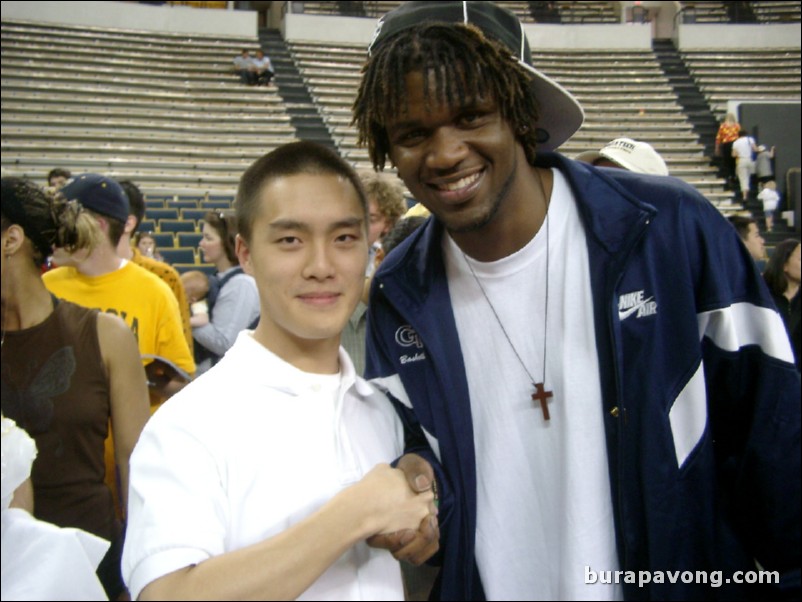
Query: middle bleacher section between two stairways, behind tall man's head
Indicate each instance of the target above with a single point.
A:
(627, 95)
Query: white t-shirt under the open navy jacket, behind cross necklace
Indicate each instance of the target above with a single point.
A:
(544, 502)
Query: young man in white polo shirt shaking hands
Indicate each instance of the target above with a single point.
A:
(263, 478)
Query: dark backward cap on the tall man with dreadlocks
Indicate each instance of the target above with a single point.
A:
(560, 113)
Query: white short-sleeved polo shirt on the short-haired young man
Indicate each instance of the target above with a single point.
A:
(247, 450)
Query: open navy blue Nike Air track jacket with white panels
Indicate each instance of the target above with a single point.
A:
(701, 397)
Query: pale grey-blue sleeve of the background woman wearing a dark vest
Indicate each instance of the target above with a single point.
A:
(237, 306)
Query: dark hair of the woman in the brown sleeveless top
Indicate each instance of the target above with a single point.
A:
(46, 221)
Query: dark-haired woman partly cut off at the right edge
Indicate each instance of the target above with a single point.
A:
(782, 276)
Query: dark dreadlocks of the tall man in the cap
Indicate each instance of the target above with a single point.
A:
(465, 65)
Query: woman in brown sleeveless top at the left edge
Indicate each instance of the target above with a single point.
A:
(66, 371)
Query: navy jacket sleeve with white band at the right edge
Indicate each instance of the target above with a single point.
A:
(752, 391)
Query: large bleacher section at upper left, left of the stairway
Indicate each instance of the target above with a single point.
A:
(164, 110)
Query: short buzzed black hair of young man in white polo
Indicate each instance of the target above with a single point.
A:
(302, 157)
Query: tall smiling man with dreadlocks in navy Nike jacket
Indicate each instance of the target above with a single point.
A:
(585, 358)
